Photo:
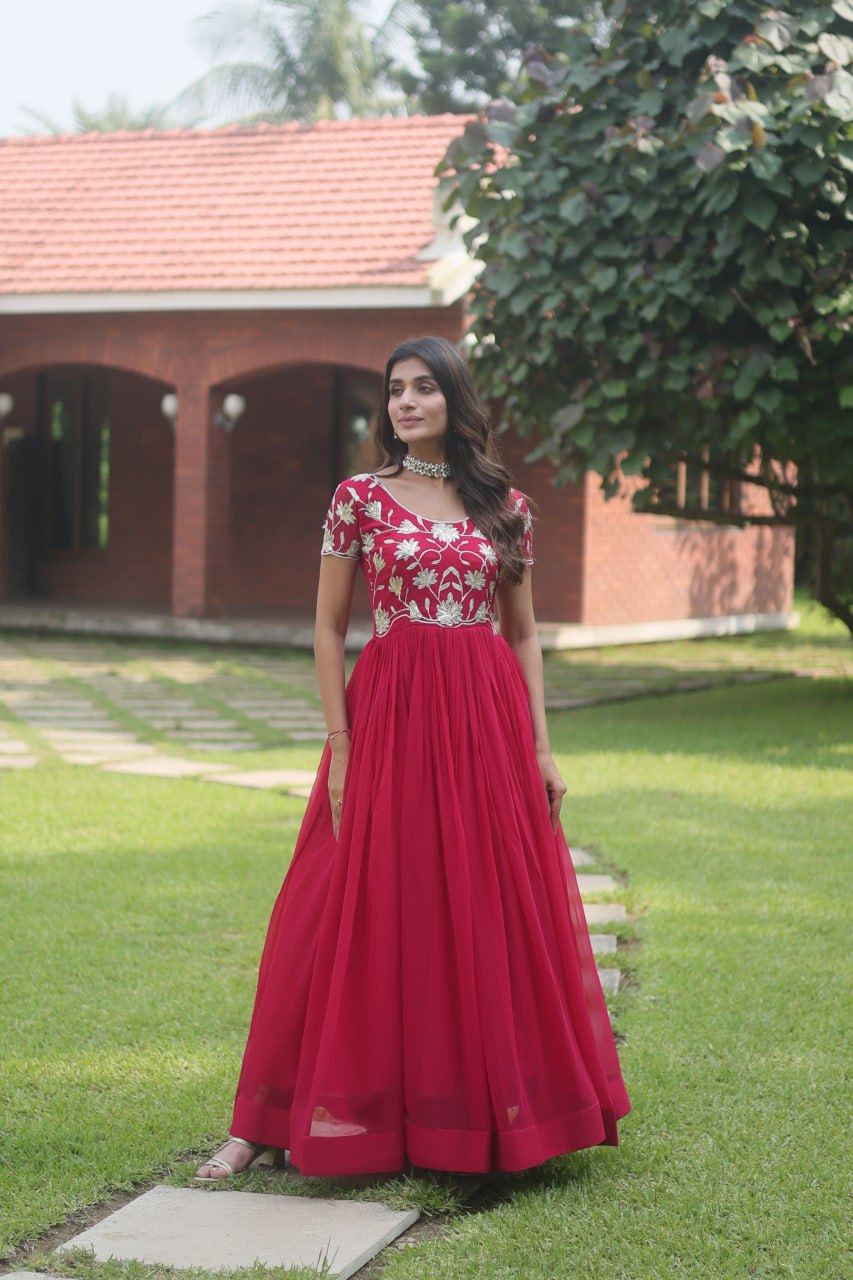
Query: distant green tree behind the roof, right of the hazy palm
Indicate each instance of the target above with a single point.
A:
(472, 52)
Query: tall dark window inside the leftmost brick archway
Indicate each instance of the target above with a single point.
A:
(76, 433)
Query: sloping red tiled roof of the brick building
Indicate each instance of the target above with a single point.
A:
(288, 207)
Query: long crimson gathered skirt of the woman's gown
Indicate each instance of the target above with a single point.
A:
(428, 994)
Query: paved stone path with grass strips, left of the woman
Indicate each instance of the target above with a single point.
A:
(133, 710)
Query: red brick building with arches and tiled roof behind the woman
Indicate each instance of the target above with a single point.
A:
(193, 332)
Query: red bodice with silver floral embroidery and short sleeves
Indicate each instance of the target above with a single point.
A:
(418, 570)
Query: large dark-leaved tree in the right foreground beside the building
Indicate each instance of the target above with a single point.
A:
(668, 241)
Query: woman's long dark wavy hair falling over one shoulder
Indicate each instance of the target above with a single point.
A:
(481, 477)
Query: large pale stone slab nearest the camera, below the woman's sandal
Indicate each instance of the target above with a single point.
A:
(181, 1228)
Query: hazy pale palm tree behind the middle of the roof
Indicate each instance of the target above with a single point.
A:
(302, 61)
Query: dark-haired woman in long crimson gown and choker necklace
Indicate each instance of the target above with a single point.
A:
(428, 994)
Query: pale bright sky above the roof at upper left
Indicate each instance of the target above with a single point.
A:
(60, 51)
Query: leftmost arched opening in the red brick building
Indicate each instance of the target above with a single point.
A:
(86, 488)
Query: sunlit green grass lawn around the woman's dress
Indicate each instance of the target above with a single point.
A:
(134, 913)
